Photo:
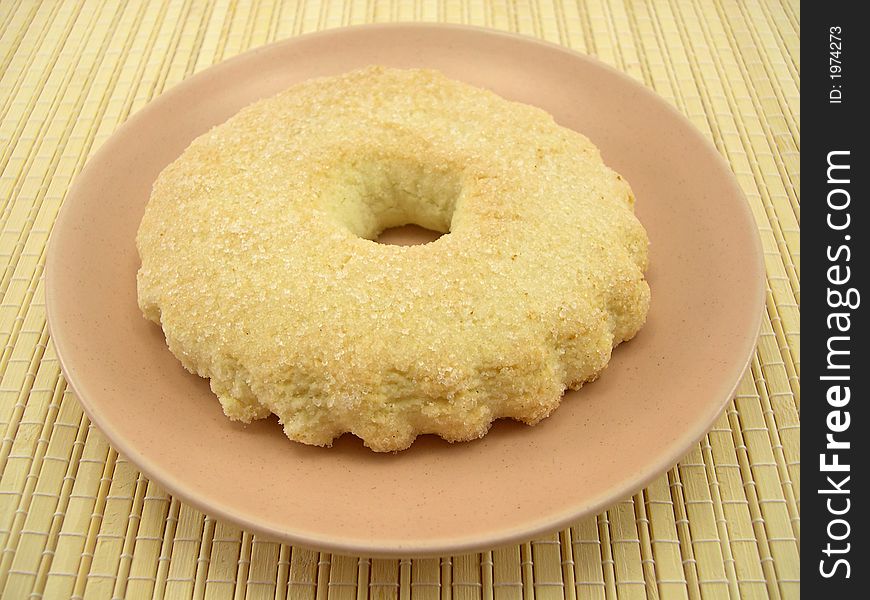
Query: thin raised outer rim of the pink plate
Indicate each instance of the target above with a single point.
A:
(419, 547)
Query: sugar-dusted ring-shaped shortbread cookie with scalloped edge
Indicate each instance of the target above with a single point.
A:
(257, 260)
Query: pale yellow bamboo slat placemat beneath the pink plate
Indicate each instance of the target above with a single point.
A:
(78, 520)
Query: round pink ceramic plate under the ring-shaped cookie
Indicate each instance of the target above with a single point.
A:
(660, 394)
